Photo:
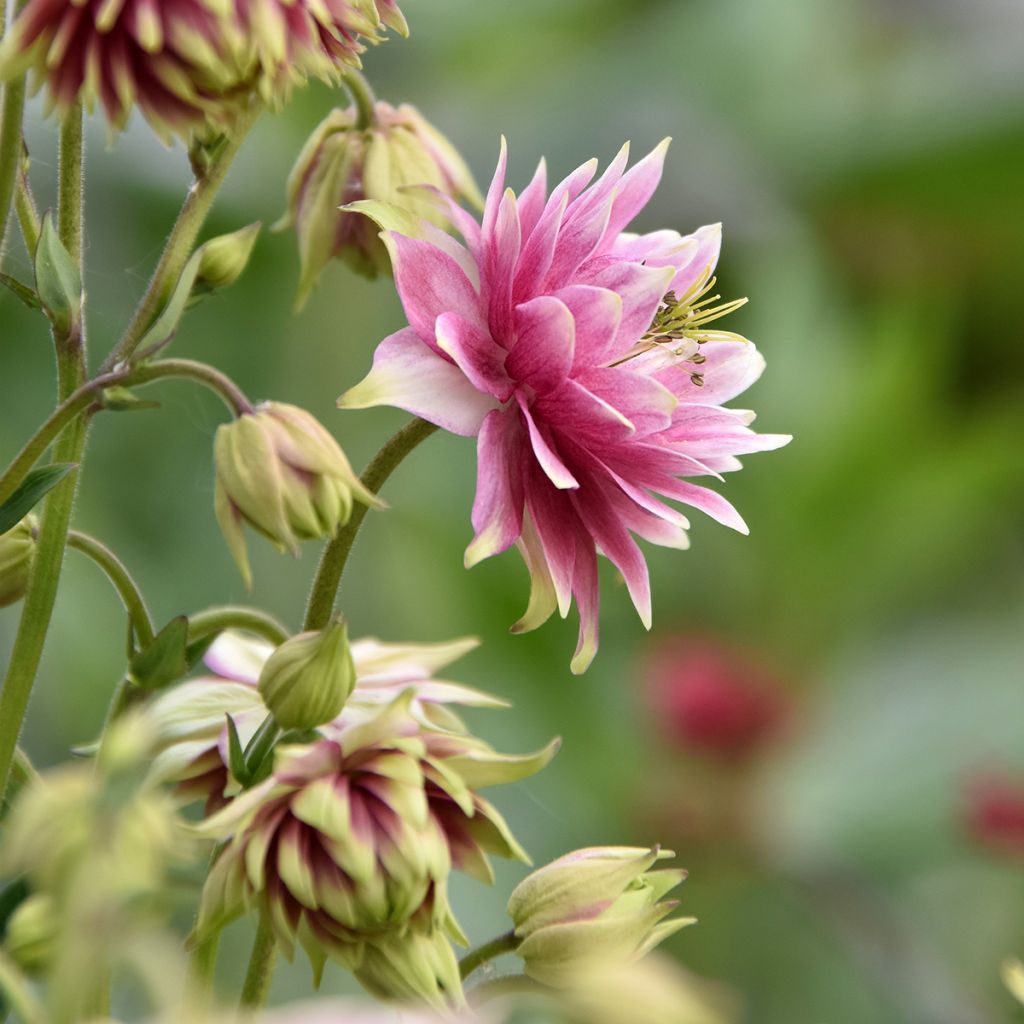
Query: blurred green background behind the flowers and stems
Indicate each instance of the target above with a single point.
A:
(867, 159)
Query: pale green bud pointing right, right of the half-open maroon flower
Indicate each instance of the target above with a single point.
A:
(590, 909)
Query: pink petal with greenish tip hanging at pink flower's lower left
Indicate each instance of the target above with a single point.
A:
(500, 489)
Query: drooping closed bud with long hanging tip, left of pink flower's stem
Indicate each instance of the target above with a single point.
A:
(279, 471)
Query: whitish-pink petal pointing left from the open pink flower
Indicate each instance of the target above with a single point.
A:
(410, 375)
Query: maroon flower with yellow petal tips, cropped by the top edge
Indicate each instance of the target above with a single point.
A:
(189, 65)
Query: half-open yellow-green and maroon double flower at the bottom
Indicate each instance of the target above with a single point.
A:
(348, 847)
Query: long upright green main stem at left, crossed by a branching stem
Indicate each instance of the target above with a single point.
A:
(37, 609)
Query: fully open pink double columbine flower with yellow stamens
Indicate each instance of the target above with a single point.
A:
(586, 362)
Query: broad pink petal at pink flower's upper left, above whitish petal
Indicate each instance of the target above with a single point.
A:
(431, 283)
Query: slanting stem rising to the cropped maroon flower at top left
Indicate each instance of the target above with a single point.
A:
(182, 240)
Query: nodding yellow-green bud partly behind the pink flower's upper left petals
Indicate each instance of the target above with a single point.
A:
(344, 163)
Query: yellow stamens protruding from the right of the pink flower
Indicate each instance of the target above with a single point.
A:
(680, 326)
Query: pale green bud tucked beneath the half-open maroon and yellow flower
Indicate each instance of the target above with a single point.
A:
(412, 967)
